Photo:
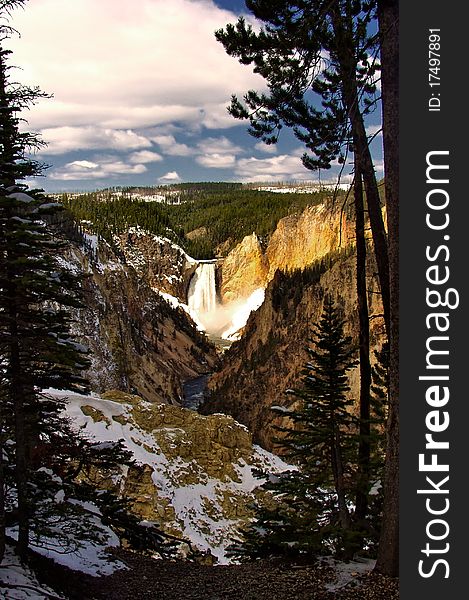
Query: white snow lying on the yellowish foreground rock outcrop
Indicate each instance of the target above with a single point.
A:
(198, 507)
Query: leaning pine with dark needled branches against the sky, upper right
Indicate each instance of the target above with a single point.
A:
(319, 64)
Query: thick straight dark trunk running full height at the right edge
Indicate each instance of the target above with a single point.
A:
(388, 18)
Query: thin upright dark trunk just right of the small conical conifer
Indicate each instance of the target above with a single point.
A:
(361, 502)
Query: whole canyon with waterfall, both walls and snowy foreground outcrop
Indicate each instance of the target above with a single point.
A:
(224, 337)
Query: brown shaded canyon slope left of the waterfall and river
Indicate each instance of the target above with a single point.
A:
(138, 342)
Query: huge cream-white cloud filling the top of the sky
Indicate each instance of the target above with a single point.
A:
(116, 65)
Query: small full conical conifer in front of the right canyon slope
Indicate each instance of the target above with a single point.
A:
(309, 511)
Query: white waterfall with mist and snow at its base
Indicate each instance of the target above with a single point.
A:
(218, 320)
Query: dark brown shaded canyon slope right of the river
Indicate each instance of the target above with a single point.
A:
(269, 358)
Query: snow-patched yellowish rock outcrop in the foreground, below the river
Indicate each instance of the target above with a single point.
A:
(193, 475)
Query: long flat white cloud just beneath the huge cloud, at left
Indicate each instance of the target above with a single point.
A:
(67, 139)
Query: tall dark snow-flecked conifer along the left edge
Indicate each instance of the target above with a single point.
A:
(44, 490)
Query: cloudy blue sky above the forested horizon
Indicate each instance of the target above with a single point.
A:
(140, 94)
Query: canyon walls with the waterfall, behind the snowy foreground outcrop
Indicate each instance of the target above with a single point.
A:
(165, 318)
